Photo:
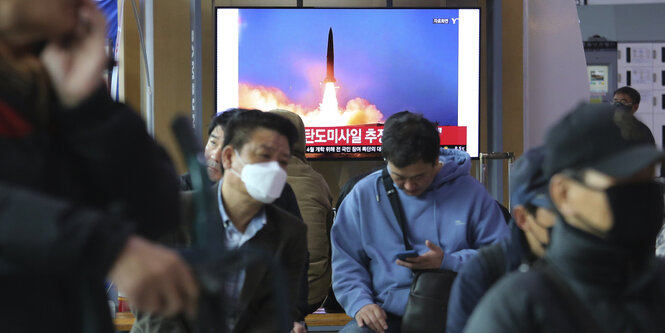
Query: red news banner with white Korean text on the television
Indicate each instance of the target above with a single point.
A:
(370, 135)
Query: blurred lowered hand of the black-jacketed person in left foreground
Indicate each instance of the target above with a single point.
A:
(155, 279)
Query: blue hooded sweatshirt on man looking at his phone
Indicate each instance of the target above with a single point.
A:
(455, 212)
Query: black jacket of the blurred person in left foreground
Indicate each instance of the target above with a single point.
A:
(72, 189)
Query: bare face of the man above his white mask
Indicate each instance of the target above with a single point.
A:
(265, 145)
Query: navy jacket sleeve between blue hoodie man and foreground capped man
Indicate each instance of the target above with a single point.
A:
(478, 275)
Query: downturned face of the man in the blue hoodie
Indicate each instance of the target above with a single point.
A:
(414, 178)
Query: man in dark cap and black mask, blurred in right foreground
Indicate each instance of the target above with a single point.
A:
(599, 273)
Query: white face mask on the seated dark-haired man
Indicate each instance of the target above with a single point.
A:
(264, 181)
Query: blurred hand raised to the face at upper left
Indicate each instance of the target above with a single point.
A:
(76, 64)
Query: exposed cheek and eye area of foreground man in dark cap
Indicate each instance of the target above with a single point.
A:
(584, 203)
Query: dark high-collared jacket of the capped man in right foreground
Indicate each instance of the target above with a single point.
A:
(616, 293)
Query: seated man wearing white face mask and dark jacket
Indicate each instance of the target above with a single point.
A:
(257, 147)
